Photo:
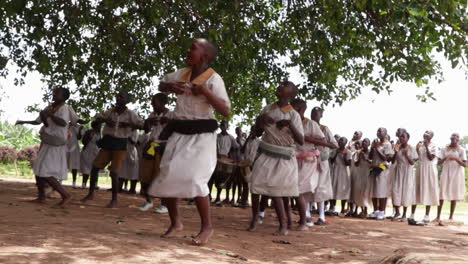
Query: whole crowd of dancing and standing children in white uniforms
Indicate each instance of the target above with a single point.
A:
(288, 159)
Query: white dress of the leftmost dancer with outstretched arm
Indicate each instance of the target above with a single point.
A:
(52, 160)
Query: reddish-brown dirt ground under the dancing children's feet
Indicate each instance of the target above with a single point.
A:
(32, 233)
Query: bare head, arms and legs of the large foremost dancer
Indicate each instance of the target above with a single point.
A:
(198, 58)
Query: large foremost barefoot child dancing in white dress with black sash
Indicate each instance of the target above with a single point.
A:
(189, 158)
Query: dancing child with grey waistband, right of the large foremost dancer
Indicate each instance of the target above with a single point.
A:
(275, 172)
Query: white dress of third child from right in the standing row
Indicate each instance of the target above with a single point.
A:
(404, 180)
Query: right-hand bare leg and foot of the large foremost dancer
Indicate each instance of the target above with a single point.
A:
(206, 230)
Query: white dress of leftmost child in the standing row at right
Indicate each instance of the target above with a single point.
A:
(341, 180)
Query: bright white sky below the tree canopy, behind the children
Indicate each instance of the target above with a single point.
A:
(366, 113)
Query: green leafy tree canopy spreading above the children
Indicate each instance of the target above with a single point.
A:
(340, 47)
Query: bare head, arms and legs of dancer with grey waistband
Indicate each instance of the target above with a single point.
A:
(285, 93)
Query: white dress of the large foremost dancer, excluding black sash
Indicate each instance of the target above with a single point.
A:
(189, 160)
